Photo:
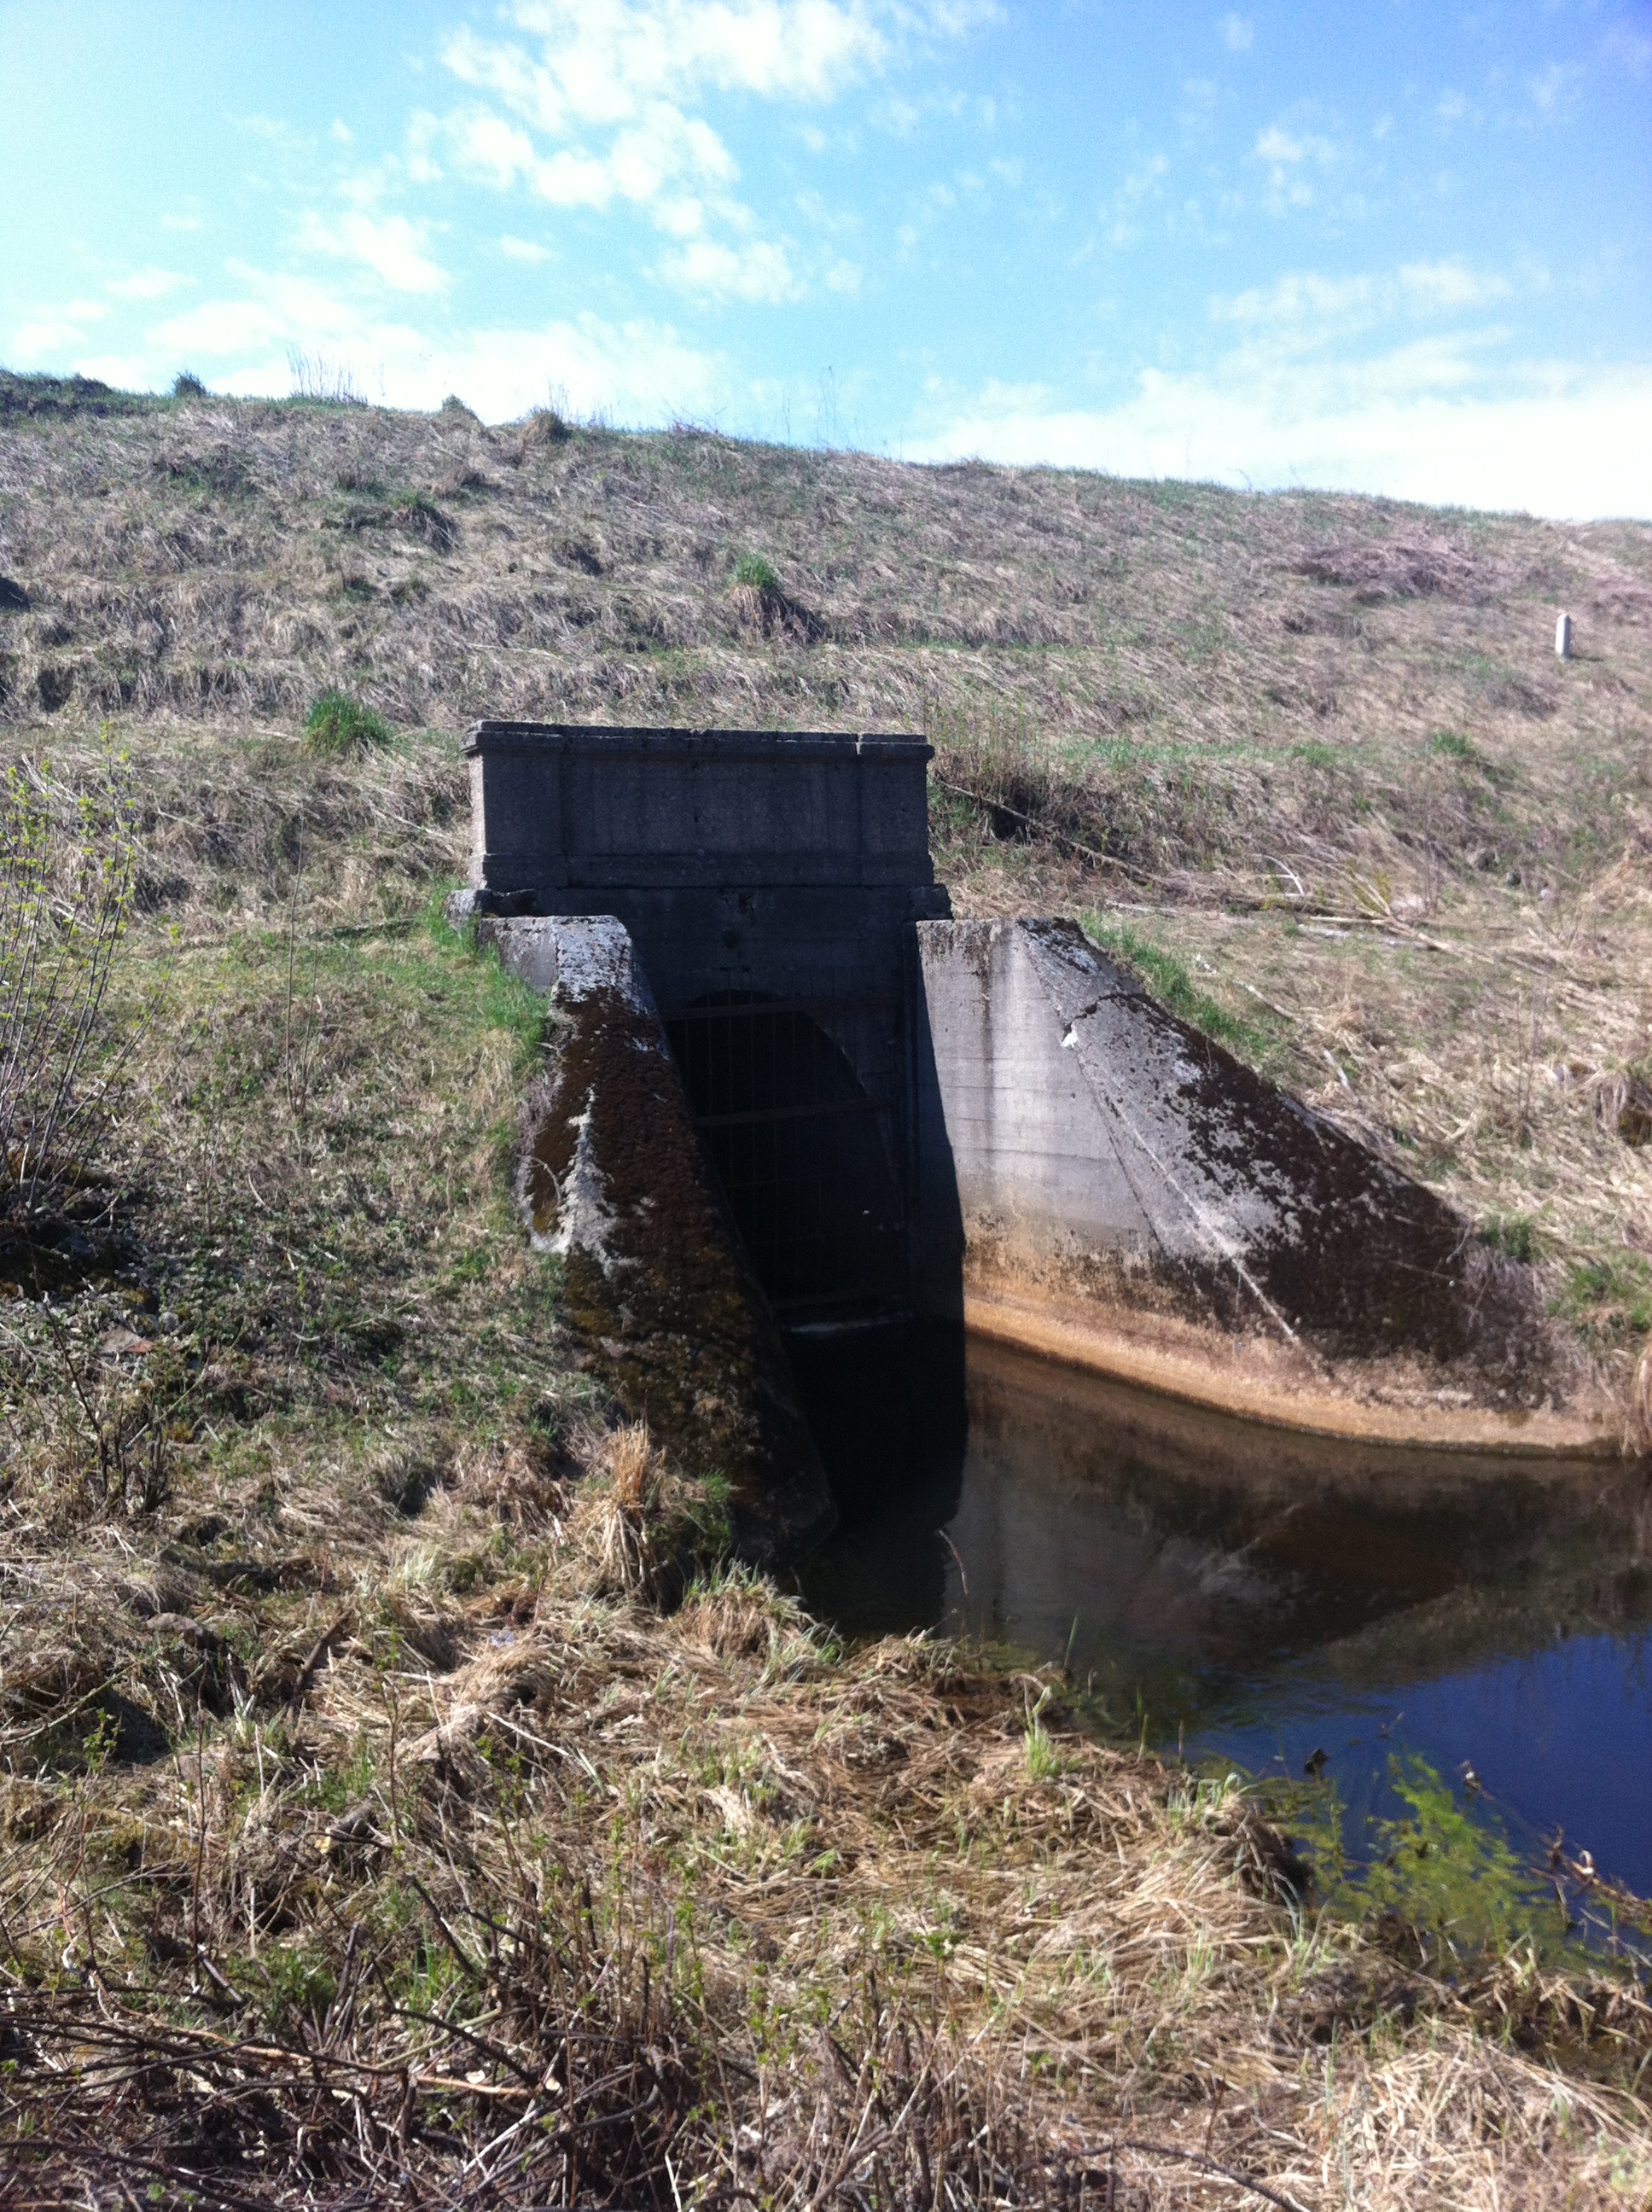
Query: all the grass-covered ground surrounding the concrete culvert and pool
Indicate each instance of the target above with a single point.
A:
(404, 1799)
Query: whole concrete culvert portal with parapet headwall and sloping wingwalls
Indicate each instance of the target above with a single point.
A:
(976, 1120)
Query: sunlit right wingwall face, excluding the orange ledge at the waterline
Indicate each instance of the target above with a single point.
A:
(1076, 1140)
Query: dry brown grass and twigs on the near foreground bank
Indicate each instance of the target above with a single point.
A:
(746, 1912)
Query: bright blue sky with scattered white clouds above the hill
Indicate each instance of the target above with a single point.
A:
(1390, 247)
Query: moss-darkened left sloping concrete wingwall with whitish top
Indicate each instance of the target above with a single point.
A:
(616, 1185)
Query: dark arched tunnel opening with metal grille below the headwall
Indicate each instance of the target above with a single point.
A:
(802, 1147)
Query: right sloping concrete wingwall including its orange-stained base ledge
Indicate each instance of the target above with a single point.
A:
(1102, 1182)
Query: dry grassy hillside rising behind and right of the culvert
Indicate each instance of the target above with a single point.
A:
(1317, 753)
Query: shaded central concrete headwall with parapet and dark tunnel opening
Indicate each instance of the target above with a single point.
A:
(755, 870)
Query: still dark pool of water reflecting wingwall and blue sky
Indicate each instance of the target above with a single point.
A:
(1248, 1594)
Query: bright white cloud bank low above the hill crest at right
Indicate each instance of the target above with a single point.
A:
(1419, 424)
